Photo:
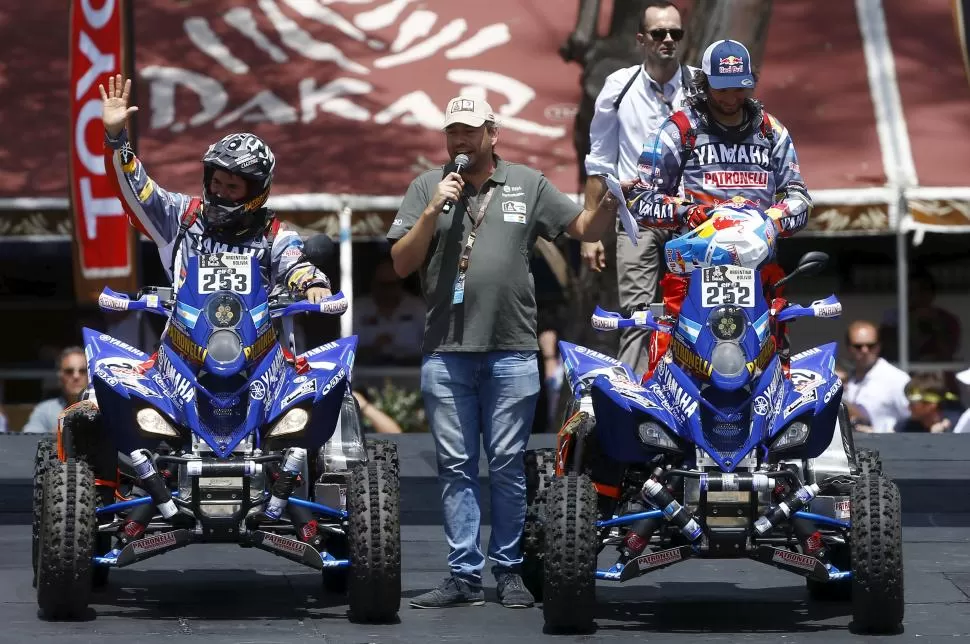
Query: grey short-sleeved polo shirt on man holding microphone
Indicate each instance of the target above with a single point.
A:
(499, 308)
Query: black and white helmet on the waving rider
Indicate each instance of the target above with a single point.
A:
(247, 156)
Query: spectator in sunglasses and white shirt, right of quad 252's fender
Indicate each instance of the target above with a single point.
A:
(874, 392)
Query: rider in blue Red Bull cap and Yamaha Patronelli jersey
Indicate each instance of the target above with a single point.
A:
(722, 146)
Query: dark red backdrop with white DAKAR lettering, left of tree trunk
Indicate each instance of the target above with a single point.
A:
(350, 95)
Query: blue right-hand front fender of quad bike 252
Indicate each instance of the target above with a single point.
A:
(813, 392)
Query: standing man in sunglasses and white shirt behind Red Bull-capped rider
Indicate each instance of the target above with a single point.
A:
(630, 109)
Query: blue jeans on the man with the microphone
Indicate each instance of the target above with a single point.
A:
(492, 394)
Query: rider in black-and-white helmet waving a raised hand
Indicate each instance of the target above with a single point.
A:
(231, 215)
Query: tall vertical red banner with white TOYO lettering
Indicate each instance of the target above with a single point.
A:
(103, 240)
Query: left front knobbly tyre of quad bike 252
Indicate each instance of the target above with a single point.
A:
(569, 560)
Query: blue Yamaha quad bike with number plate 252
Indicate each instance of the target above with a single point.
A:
(717, 455)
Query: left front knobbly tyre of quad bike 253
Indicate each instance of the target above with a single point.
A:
(67, 540)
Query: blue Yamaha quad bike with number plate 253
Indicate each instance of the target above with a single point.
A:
(217, 438)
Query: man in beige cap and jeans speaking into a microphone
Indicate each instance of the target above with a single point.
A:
(470, 232)
